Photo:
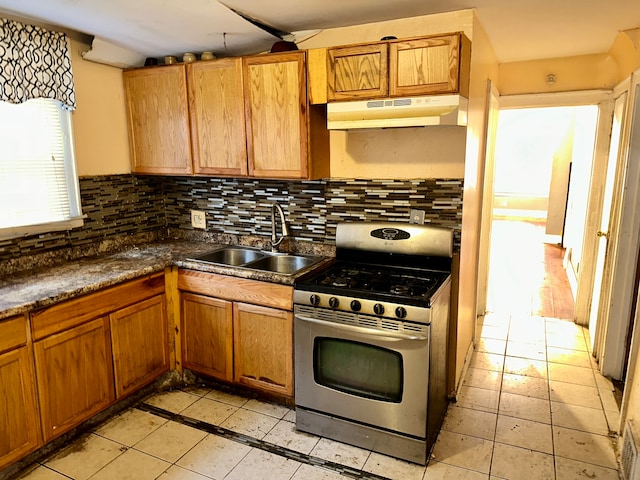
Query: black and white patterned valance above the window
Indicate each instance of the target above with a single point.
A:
(34, 63)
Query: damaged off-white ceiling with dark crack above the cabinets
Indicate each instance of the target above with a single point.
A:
(518, 29)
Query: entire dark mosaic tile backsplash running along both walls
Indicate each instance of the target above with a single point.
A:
(132, 205)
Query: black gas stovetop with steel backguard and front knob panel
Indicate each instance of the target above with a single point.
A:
(385, 269)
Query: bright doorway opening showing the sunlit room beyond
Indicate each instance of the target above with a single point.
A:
(542, 172)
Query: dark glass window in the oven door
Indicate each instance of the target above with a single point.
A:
(358, 368)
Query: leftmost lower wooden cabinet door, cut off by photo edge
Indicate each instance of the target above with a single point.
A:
(19, 426)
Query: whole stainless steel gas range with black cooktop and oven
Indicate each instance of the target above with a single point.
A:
(371, 334)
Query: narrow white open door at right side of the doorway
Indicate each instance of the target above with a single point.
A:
(607, 198)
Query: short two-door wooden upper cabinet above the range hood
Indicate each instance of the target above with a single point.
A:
(400, 68)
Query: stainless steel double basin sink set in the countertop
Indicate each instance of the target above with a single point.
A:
(245, 257)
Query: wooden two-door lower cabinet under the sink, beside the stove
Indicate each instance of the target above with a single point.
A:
(238, 330)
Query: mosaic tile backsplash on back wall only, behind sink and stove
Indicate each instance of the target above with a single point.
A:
(313, 208)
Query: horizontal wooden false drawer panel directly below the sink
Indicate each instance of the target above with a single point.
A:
(237, 289)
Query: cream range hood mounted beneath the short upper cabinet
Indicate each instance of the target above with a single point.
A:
(398, 112)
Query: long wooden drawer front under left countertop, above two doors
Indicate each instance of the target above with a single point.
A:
(65, 315)
